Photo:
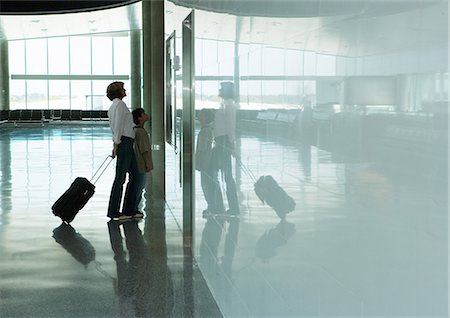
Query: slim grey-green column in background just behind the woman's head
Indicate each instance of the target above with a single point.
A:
(135, 71)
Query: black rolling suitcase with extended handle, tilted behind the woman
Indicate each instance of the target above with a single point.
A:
(76, 197)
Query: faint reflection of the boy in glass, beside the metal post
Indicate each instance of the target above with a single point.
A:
(203, 152)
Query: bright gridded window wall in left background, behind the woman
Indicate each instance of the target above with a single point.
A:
(69, 72)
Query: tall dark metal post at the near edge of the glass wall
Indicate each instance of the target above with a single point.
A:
(188, 127)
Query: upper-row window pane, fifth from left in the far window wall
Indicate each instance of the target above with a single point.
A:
(101, 55)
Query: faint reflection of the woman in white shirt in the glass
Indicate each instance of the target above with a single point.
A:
(224, 137)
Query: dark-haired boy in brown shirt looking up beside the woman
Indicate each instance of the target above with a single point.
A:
(143, 153)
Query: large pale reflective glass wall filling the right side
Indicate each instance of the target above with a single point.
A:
(348, 114)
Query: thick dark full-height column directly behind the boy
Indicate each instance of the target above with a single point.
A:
(153, 90)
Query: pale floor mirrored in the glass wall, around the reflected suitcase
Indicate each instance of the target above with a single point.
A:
(366, 239)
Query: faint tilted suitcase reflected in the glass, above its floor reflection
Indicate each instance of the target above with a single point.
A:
(268, 191)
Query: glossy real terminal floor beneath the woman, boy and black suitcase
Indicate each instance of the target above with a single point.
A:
(93, 268)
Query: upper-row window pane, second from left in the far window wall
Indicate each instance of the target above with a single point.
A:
(36, 54)
